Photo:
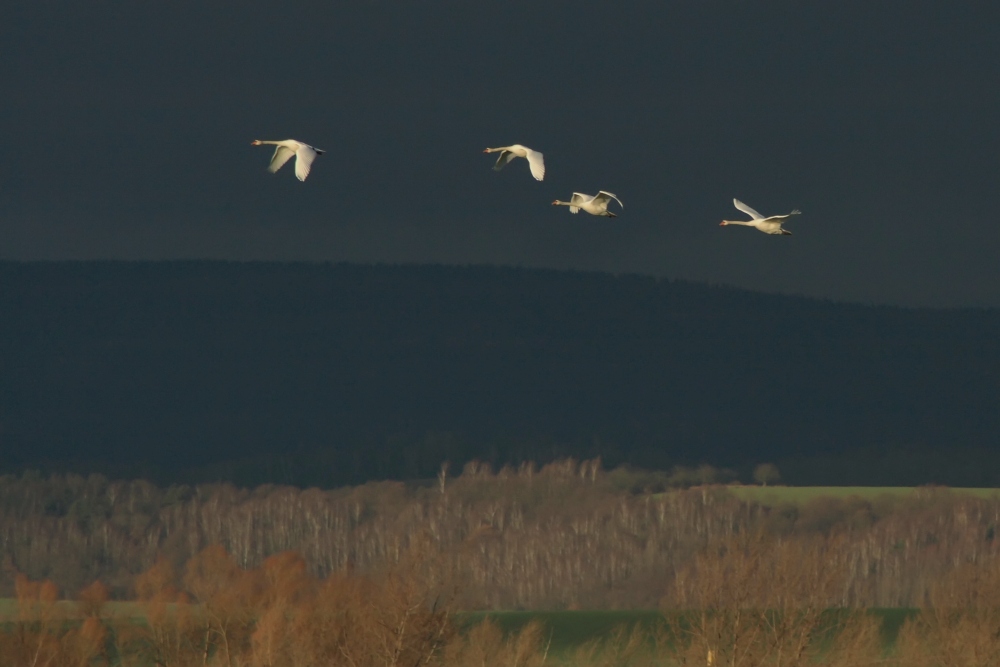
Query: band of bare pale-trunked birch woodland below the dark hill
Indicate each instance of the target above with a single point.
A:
(567, 535)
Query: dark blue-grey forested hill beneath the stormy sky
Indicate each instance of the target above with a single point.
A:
(318, 373)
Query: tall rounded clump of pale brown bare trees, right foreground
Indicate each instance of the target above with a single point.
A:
(754, 600)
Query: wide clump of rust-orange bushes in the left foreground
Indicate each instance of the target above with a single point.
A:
(279, 615)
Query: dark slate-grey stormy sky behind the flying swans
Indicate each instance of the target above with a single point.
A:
(127, 129)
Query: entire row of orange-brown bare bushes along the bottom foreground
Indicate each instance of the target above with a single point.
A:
(745, 600)
